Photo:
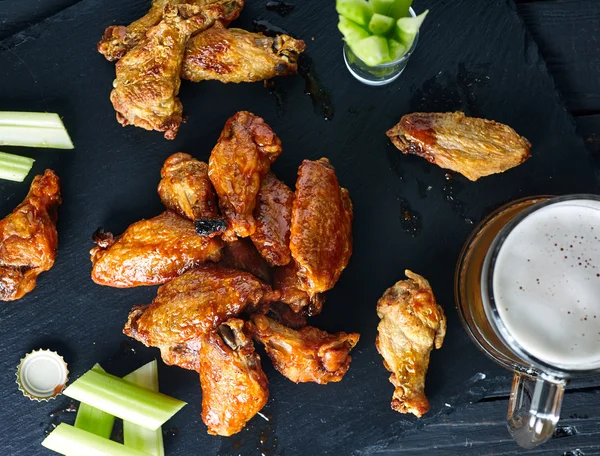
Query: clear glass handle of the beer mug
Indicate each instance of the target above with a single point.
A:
(534, 408)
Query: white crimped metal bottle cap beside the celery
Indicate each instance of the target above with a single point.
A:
(42, 375)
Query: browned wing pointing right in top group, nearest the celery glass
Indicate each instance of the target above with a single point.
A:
(235, 55)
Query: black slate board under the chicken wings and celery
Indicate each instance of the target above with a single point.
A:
(472, 56)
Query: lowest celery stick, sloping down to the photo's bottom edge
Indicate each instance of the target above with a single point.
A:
(70, 441)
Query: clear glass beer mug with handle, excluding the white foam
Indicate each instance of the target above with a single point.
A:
(538, 386)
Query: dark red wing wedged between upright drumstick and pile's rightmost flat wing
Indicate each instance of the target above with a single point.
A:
(273, 215)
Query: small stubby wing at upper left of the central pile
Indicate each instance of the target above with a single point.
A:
(186, 189)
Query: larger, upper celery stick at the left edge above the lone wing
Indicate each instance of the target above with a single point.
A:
(33, 129)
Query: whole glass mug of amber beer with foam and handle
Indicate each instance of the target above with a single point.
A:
(527, 290)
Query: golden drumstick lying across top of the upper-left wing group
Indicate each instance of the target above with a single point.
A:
(148, 76)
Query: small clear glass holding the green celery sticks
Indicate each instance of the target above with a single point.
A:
(380, 74)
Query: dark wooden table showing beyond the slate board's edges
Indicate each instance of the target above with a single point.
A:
(568, 35)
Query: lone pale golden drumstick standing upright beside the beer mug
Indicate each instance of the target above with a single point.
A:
(412, 323)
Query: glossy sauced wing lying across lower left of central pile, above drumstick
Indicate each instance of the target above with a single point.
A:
(190, 306)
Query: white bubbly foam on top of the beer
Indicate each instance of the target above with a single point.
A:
(546, 284)
